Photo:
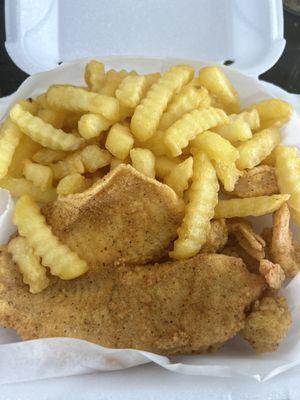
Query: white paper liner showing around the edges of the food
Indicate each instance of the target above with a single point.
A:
(59, 357)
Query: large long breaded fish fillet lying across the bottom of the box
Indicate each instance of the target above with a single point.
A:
(176, 307)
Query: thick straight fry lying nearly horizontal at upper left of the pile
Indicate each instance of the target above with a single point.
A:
(76, 99)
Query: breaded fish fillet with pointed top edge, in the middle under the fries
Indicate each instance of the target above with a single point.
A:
(125, 217)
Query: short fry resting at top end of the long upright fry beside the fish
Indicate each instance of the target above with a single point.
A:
(216, 147)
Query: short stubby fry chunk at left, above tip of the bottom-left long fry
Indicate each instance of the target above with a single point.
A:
(40, 175)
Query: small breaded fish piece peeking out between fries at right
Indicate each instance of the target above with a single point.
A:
(258, 181)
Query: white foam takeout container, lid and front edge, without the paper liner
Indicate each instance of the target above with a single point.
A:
(43, 33)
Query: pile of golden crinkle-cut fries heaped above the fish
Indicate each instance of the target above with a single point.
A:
(186, 131)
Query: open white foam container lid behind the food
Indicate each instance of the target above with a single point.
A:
(42, 33)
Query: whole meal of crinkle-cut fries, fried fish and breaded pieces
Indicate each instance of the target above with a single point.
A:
(132, 201)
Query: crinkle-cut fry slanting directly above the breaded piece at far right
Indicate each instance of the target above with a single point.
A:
(255, 150)
